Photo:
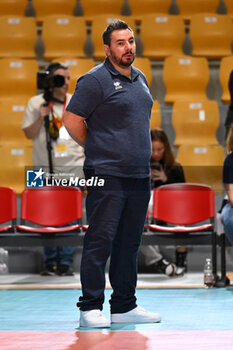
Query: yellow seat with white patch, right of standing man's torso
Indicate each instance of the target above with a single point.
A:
(195, 122)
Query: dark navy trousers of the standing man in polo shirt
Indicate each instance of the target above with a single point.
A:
(116, 215)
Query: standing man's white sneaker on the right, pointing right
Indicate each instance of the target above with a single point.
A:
(137, 315)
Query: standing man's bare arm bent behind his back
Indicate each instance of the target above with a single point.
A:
(76, 127)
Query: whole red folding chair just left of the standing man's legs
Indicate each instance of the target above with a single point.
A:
(50, 208)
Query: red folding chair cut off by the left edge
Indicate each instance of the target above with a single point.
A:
(8, 209)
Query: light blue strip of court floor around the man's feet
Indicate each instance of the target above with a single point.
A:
(55, 310)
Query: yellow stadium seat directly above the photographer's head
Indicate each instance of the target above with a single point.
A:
(63, 36)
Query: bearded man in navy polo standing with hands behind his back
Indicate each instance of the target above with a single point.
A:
(109, 114)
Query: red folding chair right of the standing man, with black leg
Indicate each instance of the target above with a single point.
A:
(188, 211)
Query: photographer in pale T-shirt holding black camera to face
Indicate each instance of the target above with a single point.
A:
(53, 148)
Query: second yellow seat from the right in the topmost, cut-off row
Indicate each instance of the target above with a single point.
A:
(187, 8)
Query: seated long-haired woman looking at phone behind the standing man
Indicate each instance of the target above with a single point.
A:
(164, 170)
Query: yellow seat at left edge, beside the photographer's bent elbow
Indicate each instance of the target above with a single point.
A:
(10, 127)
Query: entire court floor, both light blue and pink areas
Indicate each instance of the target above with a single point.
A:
(192, 318)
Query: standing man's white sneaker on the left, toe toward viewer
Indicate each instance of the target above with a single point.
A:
(93, 319)
